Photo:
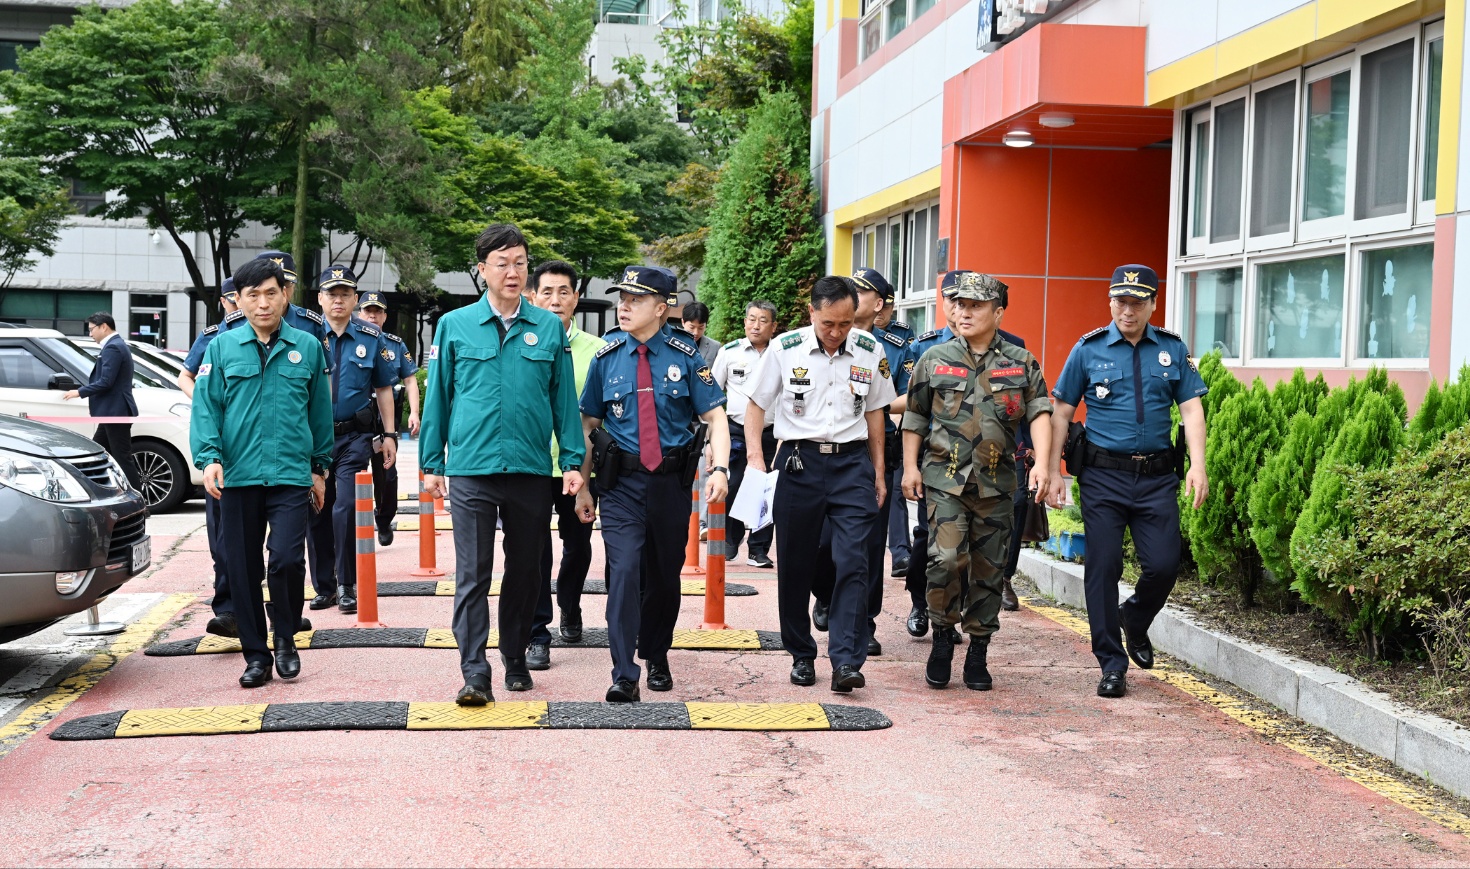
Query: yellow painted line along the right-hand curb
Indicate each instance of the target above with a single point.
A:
(1278, 730)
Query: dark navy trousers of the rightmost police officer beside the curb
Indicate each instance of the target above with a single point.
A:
(1149, 507)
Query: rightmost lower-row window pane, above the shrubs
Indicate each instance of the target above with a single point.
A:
(1394, 302)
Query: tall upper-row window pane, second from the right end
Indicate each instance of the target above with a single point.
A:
(1385, 132)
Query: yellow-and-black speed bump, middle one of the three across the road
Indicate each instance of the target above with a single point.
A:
(445, 639)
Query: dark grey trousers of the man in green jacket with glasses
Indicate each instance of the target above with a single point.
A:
(523, 504)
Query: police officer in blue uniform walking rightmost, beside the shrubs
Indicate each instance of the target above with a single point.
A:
(1131, 376)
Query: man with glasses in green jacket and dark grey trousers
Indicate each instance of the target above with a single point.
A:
(501, 386)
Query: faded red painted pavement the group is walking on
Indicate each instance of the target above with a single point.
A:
(1039, 771)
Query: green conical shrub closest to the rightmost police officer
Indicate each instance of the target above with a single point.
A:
(1243, 432)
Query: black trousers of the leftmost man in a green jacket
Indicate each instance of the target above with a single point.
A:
(245, 514)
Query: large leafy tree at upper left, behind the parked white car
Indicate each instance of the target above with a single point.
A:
(121, 101)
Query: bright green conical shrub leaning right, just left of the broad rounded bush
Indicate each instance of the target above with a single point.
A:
(1369, 440)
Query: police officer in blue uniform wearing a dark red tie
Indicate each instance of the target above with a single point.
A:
(646, 390)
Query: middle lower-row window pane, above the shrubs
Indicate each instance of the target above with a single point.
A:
(1300, 310)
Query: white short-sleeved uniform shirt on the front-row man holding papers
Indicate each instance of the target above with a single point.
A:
(821, 398)
